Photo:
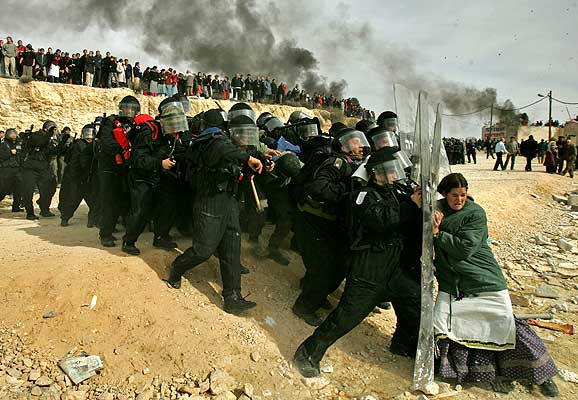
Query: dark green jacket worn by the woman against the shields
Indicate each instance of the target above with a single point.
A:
(464, 262)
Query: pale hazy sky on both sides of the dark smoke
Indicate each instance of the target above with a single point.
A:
(521, 48)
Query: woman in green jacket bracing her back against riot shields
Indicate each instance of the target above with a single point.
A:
(477, 335)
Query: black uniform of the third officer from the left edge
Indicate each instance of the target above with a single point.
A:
(79, 182)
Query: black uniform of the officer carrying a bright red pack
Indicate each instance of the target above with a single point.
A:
(112, 174)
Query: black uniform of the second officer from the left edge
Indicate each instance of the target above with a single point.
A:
(38, 148)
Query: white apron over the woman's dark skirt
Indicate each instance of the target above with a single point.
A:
(484, 321)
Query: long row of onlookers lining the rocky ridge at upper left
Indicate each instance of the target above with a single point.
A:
(93, 69)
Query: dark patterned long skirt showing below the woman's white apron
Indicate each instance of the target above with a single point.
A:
(528, 362)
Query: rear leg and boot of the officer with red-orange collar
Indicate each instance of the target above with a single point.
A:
(142, 196)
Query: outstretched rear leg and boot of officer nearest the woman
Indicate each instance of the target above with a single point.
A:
(357, 302)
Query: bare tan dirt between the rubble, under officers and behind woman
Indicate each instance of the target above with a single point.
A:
(139, 323)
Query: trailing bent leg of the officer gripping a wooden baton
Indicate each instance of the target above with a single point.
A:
(209, 226)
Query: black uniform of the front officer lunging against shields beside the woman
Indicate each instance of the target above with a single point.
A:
(375, 273)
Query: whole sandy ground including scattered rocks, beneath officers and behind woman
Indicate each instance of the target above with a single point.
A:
(158, 343)
